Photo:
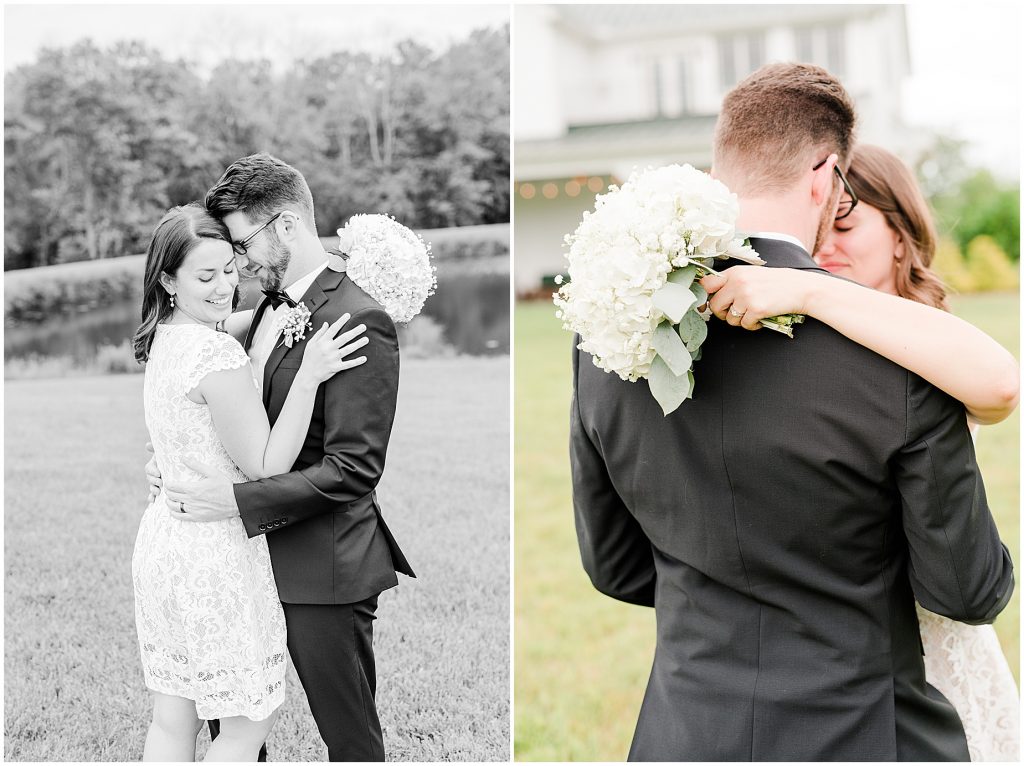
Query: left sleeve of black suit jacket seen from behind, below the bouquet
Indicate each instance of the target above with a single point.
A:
(616, 552)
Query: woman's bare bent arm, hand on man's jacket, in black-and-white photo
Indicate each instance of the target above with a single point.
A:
(238, 410)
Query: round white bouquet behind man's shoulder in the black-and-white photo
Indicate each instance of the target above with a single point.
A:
(391, 263)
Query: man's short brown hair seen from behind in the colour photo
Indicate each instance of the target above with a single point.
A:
(781, 121)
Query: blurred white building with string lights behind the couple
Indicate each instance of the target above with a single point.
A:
(601, 90)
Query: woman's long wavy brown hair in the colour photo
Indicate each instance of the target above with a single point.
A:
(884, 182)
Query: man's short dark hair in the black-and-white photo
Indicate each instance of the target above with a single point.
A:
(261, 186)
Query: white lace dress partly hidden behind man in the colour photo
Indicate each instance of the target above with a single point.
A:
(967, 665)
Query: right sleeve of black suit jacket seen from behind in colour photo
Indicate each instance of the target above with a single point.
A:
(959, 567)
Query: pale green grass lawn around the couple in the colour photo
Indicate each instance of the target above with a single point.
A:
(582, 660)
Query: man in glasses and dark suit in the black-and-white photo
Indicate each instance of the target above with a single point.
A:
(331, 550)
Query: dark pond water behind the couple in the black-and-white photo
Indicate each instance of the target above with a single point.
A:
(473, 311)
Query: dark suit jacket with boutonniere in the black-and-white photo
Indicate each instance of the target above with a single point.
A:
(328, 541)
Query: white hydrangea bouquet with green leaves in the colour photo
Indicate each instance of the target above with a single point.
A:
(635, 263)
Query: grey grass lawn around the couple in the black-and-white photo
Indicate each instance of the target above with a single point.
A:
(74, 494)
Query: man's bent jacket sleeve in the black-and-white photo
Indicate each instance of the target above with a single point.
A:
(359, 412)
